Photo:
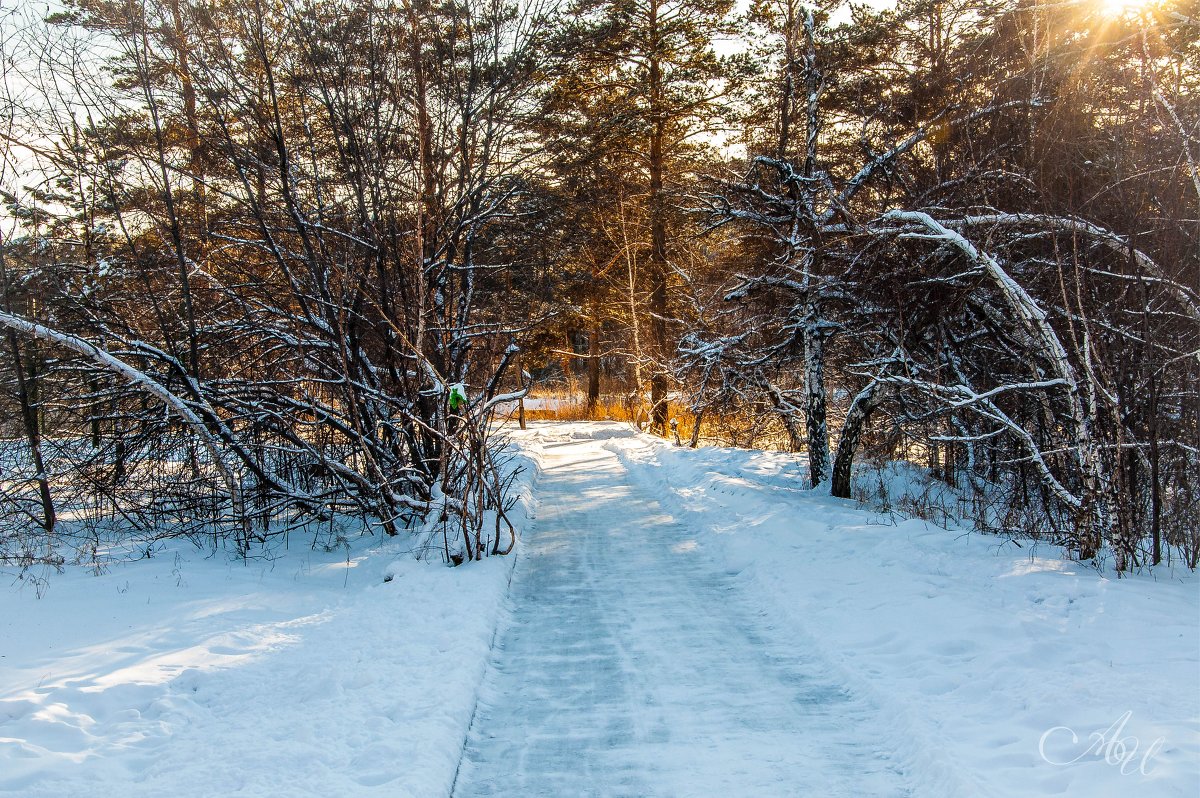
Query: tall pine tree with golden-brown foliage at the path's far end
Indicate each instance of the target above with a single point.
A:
(646, 92)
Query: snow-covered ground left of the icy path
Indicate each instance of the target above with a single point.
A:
(343, 674)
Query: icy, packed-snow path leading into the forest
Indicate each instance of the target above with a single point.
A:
(631, 665)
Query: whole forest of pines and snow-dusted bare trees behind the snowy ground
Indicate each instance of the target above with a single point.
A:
(273, 266)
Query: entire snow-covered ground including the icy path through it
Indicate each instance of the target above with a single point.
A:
(679, 622)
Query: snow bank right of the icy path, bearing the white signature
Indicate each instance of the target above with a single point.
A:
(974, 650)
